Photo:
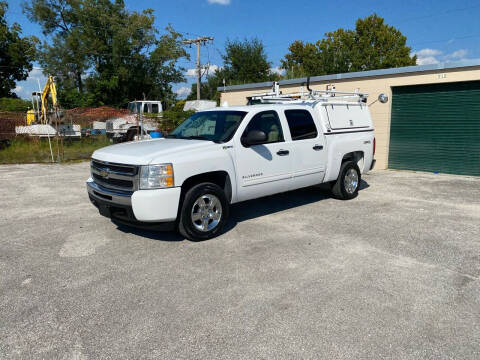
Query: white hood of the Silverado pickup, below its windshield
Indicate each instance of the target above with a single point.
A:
(146, 151)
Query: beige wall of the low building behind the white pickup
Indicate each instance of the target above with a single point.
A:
(375, 85)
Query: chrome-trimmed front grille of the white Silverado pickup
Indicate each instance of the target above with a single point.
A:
(115, 176)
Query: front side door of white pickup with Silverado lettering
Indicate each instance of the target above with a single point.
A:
(266, 168)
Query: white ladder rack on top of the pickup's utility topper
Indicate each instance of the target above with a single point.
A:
(276, 96)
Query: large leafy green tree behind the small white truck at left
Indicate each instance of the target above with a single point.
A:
(102, 53)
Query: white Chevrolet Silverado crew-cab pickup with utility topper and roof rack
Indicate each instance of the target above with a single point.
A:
(225, 155)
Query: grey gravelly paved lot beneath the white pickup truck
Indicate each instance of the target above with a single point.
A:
(391, 274)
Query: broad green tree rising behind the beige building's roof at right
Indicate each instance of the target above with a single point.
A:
(372, 45)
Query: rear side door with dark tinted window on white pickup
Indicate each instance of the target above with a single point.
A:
(308, 148)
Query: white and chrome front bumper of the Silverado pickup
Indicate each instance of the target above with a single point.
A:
(151, 209)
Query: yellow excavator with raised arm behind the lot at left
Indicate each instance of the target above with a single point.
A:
(39, 113)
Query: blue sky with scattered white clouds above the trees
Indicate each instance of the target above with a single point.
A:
(437, 30)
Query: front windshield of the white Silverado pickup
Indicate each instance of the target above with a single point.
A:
(217, 126)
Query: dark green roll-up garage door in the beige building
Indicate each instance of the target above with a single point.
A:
(436, 128)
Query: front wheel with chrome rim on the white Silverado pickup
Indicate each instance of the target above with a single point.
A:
(204, 212)
